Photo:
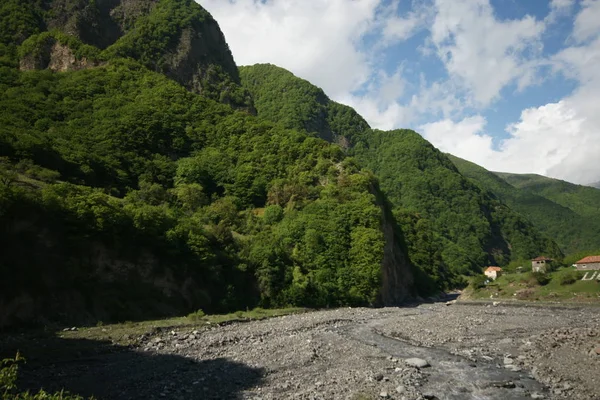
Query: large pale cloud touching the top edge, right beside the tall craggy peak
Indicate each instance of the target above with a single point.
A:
(317, 40)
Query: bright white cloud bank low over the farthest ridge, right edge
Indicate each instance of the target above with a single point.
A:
(552, 140)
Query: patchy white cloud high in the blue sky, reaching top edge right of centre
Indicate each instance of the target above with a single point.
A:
(485, 54)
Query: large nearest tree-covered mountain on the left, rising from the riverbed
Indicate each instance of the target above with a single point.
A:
(135, 181)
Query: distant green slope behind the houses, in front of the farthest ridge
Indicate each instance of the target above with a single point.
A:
(574, 232)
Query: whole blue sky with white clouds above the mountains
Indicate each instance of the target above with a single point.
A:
(512, 85)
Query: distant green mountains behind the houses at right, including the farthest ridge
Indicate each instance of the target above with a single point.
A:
(552, 206)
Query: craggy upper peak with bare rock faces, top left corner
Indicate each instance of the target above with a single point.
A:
(174, 37)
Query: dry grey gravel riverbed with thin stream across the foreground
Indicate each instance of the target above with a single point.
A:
(470, 351)
